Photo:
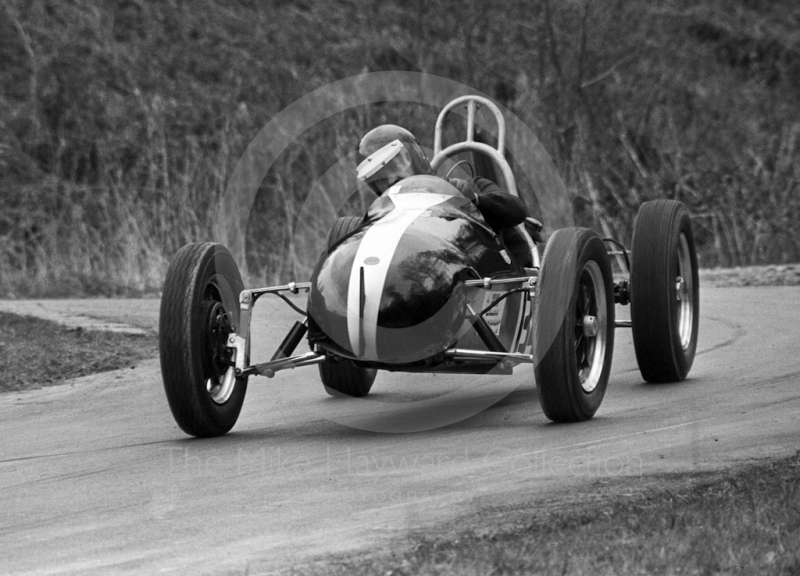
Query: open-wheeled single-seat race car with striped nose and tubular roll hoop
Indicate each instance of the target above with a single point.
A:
(422, 284)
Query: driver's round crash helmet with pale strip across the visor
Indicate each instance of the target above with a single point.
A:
(388, 154)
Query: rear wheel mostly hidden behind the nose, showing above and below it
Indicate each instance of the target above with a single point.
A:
(344, 378)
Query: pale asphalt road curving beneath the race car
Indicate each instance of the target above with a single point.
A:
(96, 478)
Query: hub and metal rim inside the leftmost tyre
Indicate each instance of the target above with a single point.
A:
(220, 376)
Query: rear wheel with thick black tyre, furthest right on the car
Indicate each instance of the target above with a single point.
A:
(665, 291)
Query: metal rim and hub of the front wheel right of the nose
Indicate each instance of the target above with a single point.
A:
(591, 324)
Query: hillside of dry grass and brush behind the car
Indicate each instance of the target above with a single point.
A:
(122, 121)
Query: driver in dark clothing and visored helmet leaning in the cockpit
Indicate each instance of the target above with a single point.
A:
(390, 153)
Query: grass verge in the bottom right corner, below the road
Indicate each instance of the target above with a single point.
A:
(744, 521)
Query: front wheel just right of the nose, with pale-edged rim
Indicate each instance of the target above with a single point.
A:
(573, 325)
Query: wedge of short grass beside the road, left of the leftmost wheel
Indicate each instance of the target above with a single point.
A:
(36, 352)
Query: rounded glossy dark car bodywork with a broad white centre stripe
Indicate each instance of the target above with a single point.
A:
(392, 293)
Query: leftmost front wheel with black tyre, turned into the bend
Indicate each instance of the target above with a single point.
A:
(199, 310)
